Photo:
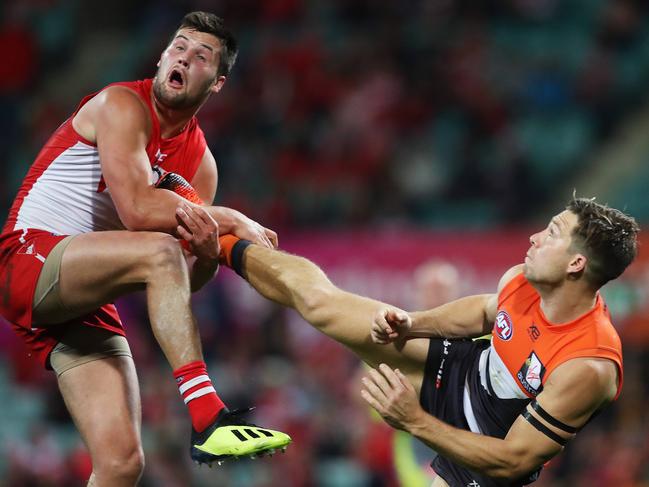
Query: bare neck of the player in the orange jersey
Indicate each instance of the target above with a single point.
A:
(567, 302)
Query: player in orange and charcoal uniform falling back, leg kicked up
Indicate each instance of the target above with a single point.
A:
(496, 410)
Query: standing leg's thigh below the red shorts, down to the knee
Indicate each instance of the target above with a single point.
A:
(103, 399)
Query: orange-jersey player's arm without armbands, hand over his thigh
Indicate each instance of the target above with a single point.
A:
(472, 316)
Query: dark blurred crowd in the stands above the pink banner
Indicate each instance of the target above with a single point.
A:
(355, 111)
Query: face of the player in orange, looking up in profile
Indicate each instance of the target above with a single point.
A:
(550, 257)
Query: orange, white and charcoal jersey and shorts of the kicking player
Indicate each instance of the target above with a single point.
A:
(483, 386)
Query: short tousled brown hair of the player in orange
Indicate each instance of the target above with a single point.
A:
(607, 237)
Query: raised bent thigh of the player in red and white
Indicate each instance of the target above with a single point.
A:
(98, 267)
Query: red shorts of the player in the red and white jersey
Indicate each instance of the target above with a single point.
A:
(22, 255)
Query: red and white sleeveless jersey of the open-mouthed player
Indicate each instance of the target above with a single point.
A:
(64, 191)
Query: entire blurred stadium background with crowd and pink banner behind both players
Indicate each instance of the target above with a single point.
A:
(373, 135)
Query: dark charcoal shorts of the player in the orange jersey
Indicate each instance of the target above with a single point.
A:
(448, 364)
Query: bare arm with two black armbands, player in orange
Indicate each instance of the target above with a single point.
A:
(573, 393)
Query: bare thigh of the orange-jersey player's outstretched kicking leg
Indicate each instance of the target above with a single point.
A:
(348, 317)
